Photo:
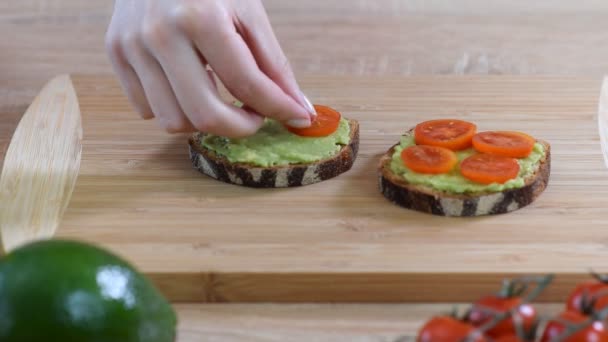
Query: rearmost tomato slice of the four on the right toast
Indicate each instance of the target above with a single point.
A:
(453, 134)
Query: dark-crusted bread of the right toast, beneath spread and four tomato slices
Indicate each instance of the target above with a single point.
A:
(426, 199)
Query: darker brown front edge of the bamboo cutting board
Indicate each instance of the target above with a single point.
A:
(344, 287)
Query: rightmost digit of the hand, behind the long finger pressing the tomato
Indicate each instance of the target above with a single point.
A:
(254, 26)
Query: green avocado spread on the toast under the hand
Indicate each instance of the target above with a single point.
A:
(274, 145)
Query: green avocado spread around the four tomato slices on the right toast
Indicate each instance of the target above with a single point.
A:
(453, 181)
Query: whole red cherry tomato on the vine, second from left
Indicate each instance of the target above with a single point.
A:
(498, 304)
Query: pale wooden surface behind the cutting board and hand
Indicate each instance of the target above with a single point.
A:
(43, 38)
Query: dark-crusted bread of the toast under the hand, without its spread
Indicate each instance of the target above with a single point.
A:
(216, 166)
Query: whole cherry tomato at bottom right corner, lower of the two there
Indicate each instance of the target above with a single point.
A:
(554, 330)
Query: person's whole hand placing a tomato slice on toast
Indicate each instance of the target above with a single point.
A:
(160, 50)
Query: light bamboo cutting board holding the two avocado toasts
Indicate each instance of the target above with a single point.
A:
(201, 240)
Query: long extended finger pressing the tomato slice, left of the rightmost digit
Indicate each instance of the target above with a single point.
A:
(215, 36)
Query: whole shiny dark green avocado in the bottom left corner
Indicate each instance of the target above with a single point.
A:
(69, 291)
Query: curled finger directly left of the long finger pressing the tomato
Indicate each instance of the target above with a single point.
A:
(195, 89)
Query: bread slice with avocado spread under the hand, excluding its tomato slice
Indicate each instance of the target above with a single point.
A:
(262, 172)
